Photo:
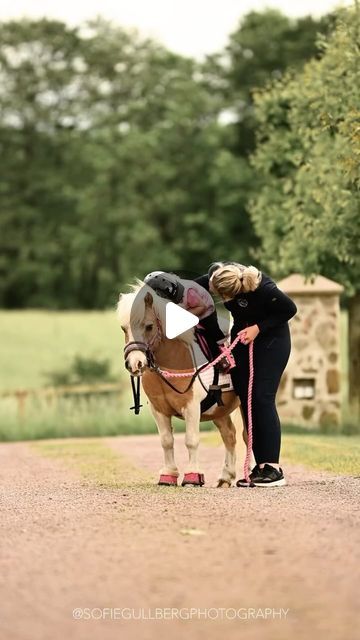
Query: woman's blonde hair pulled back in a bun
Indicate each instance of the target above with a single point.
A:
(231, 279)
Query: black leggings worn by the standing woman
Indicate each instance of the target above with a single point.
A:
(271, 353)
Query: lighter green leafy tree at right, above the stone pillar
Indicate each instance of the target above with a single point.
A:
(307, 211)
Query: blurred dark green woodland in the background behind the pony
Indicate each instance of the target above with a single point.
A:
(115, 157)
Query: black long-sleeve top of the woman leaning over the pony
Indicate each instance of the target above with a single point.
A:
(267, 306)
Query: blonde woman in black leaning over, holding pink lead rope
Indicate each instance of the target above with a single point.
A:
(261, 313)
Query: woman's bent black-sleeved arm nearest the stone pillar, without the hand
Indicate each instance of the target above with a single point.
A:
(279, 306)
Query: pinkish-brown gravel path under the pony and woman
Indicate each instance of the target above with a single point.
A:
(66, 543)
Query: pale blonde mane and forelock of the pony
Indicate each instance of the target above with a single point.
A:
(131, 308)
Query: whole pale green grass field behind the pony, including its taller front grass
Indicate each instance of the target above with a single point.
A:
(36, 343)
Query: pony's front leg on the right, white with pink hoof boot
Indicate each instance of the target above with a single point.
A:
(191, 415)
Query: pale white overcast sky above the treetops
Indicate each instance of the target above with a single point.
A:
(190, 27)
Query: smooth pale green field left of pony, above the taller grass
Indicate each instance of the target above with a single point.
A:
(33, 343)
